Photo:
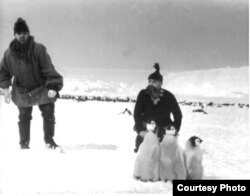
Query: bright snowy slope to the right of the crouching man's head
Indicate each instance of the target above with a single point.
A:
(222, 82)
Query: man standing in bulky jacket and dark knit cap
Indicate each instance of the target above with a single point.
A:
(27, 67)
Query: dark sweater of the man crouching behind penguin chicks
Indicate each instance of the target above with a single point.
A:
(145, 110)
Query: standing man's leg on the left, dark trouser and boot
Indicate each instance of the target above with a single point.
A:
(24, 126)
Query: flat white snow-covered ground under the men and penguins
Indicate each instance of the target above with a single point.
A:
(98, 147)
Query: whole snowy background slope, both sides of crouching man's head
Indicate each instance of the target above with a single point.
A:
(222, 82)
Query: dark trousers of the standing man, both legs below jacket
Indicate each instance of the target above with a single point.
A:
(48, 122)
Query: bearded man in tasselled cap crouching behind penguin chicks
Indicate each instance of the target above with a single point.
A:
(155, 104)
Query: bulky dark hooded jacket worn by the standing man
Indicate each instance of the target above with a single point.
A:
(30, 72)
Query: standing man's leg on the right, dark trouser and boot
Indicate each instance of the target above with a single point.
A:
(48, 124)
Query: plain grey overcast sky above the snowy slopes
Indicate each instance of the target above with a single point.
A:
(133, 34)
